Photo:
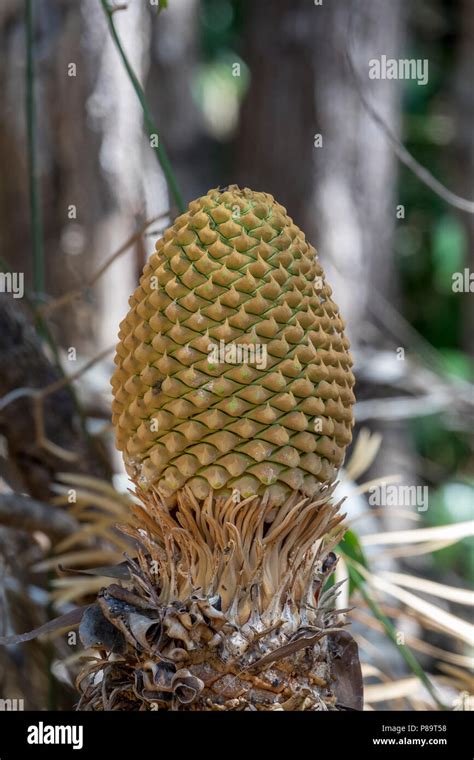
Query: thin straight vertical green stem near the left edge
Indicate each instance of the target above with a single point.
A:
(34, 197)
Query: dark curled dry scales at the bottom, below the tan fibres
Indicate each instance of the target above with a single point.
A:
(186, 656)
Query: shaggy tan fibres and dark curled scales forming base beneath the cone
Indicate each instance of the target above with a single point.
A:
(224, 609)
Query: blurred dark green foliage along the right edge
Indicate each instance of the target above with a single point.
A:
(431, 245)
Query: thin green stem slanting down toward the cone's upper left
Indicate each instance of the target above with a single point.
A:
(151, 127)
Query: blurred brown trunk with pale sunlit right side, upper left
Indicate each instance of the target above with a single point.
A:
(95, 161)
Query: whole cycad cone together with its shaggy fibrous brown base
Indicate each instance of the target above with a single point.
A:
(232, 407)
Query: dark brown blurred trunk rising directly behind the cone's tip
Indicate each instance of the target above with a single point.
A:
(278, 120)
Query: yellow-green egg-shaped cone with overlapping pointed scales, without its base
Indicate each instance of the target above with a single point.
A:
(233, 371)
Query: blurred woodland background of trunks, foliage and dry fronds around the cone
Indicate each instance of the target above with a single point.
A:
(379, 173)
